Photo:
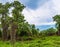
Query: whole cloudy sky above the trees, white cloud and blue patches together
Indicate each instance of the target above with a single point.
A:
(40, 12)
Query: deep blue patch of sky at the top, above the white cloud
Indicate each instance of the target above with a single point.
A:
(33, 4)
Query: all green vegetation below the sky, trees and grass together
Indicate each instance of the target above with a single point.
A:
(15, 31)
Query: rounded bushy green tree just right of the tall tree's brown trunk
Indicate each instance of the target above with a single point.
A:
(25, 29)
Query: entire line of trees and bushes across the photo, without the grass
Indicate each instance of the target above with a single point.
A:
(16, 28)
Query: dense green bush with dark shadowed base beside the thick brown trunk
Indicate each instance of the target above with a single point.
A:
(24, 29)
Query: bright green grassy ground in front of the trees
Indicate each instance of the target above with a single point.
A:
(51, 41)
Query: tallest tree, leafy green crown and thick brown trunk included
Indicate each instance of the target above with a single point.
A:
(17, 18)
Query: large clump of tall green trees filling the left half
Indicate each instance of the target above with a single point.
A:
(17, 22)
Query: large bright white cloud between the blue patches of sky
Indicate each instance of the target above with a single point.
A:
(42, 15)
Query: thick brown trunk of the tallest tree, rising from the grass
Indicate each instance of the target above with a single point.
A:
(13, 33)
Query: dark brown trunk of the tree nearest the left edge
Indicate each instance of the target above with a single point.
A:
(4, 28)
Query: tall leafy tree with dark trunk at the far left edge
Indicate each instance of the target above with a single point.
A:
(4, 9)
